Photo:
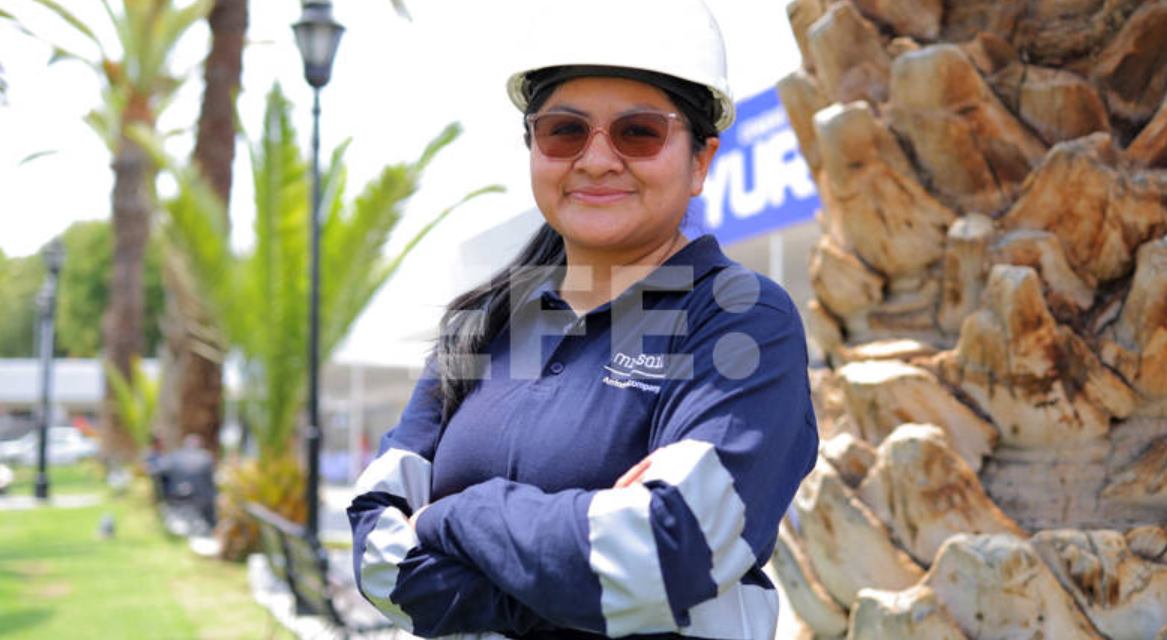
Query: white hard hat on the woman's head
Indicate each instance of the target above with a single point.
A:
(675, 38)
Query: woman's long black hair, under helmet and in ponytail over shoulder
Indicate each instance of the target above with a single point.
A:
(476, 318)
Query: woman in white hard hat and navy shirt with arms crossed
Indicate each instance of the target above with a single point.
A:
(612, 428)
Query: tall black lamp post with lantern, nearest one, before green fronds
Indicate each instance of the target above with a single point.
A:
(318, 36)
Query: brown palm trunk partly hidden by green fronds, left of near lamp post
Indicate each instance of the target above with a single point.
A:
(197, 353)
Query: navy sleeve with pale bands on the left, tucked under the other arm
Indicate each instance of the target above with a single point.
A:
(422, 590)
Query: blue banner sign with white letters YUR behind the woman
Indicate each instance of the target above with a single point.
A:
(759, 182)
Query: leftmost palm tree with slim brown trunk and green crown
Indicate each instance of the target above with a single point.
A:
(138, 85)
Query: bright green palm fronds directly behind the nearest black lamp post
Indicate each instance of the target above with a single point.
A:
(261, 298)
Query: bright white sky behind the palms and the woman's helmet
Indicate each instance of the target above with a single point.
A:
(395, 86)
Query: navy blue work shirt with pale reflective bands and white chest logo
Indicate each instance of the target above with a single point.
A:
(702, 366)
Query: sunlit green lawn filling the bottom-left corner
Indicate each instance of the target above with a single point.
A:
(59, 580)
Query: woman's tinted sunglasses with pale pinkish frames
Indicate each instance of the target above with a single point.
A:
(565, 136)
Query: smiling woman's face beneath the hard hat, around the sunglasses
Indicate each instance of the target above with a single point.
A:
(600, 201)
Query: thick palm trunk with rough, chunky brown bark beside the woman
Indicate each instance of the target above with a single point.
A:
(995, 218)
